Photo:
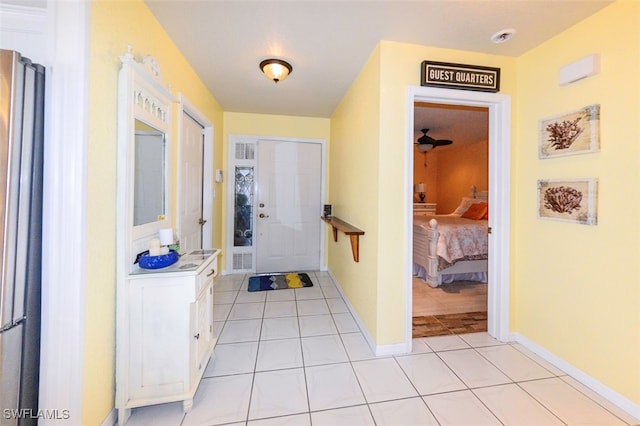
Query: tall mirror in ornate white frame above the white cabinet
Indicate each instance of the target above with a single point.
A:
(144, 156)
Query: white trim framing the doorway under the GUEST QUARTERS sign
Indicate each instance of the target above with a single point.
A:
(499, 106)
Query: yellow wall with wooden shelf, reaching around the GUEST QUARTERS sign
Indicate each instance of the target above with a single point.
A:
(368, 174)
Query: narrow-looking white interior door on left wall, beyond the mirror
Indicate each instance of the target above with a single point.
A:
(191, 218)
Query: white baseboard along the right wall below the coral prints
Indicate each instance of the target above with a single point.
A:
(594, 385)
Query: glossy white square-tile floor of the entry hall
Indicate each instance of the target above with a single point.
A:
(297, 357)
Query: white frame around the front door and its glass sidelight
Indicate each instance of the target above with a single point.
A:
(231, 162)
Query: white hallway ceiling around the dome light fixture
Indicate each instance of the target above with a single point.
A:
(328, 42)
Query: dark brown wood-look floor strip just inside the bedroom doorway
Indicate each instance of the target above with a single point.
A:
(442, 325)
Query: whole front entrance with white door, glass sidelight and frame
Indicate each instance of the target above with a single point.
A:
(275, 191)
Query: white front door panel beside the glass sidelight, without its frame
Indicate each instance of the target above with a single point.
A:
(288, 206)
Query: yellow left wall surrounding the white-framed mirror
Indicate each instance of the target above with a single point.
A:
(113, 27)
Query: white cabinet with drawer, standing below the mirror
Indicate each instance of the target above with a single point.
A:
(165, 333)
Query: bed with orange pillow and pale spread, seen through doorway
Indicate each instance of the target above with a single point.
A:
(453, 247)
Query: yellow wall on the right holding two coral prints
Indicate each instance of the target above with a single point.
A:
(576, 290)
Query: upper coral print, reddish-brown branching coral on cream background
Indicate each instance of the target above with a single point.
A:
(576, 132)
